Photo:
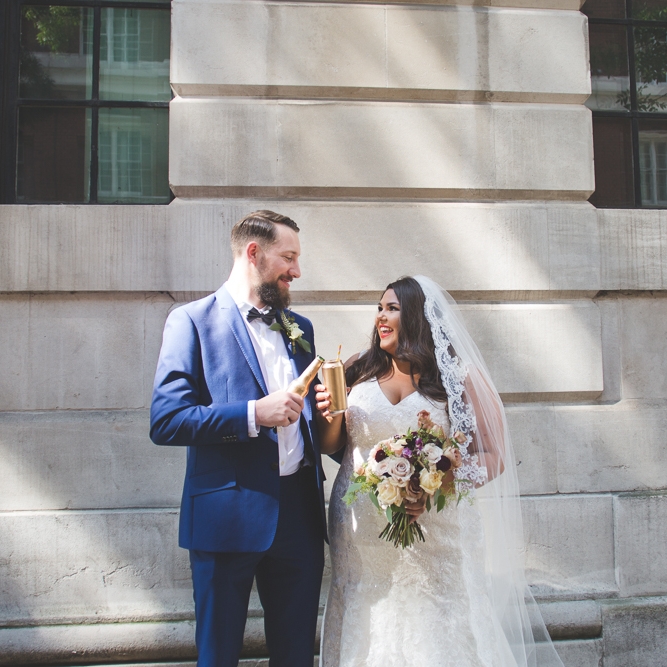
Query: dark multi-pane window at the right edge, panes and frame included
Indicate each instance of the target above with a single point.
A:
(628, 41)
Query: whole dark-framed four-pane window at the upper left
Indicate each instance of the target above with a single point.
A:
(85, 104)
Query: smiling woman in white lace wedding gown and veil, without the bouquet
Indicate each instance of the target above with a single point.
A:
(459, 599)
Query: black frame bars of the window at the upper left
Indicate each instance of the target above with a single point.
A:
(10, 102)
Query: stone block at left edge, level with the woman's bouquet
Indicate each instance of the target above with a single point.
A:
(66, 459)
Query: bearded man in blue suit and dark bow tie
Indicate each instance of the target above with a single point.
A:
(253, 503)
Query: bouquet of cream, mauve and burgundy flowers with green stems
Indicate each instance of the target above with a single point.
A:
(406, 468)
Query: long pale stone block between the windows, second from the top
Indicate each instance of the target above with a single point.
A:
(235, 147)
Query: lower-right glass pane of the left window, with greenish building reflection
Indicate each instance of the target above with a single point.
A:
(133, 156)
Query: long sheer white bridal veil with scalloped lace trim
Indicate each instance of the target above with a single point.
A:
(475, 409)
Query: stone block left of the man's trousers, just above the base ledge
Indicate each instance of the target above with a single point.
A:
(92, 566)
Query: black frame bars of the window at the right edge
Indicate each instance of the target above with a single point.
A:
(633, 114)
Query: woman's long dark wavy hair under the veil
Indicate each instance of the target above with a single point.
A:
(415, 346)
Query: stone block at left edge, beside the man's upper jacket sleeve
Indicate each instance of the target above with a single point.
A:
(79, 351)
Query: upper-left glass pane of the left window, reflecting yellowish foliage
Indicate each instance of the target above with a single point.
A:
(56, 53)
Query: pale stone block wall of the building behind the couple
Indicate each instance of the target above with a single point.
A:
(449, 140)
